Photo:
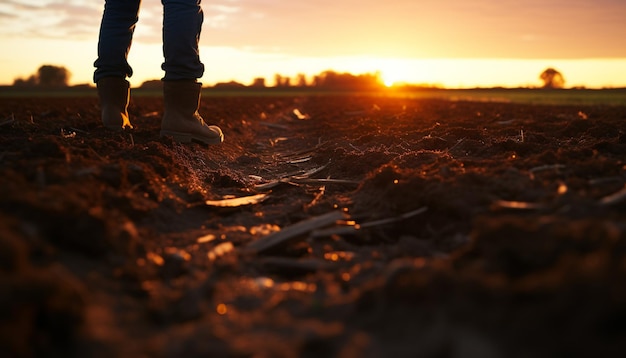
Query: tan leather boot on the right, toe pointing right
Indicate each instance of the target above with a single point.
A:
(181, 119)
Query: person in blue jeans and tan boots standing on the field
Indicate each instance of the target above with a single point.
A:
(182, 24)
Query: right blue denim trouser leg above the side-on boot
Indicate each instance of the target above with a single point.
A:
(182, 24)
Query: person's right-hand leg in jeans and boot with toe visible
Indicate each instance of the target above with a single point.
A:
(182, 23)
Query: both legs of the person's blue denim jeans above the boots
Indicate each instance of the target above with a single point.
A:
(182, 23)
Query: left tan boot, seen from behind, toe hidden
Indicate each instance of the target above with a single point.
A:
(114, 95)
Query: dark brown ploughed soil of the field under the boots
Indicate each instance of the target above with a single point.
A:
(482, 230)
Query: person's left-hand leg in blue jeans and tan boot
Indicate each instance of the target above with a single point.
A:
(112, 68)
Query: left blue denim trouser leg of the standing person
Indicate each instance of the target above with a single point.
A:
(116, 35)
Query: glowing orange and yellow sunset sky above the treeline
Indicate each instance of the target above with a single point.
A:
(453, 43)
